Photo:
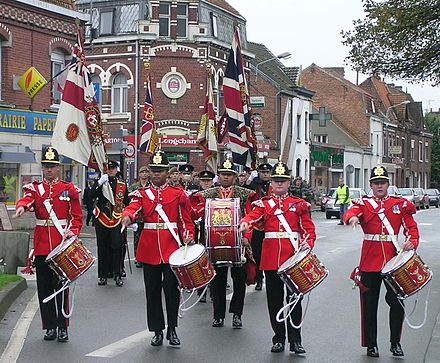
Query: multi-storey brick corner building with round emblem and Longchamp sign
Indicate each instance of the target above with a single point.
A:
(182, 41)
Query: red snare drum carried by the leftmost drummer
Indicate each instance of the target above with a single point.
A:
(70, 259)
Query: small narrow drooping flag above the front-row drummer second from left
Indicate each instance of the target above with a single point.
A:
(149, 138)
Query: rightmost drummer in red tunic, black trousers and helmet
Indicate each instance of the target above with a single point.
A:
(381, 217)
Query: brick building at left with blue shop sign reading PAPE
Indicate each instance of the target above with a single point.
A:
(40, 34)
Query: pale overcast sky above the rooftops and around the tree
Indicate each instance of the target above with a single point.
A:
(310, 30)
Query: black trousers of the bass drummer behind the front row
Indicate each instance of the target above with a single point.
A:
(238, 275)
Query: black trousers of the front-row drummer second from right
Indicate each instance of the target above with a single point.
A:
(275, 301)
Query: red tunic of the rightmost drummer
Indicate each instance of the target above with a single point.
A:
(399, 212)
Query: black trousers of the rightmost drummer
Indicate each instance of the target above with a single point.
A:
(369, 305)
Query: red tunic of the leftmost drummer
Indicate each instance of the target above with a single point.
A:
(64, 200)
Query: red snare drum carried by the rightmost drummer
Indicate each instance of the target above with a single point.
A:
(406, 273)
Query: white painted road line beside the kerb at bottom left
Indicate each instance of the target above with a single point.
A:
(18, 336)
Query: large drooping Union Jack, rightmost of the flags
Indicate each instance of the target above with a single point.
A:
(236, 98)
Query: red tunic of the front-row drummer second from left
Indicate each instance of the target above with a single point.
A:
(156, 245)
